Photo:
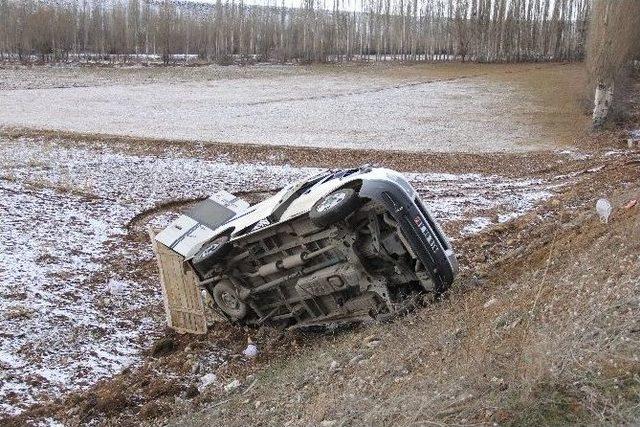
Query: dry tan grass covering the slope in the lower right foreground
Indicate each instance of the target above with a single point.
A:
(547, 339)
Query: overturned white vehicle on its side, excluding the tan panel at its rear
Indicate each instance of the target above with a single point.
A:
(342, 246)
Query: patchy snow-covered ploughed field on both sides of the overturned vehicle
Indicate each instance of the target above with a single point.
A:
(77, 299)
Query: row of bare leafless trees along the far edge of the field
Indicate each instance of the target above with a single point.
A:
(409, 30)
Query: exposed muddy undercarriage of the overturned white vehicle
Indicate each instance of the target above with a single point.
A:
(297, 273)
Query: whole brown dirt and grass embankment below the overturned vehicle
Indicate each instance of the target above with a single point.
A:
(542, 328)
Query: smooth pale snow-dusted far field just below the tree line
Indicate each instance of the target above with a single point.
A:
(446, 108)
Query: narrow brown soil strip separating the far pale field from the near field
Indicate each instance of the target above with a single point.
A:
(534, 164)
